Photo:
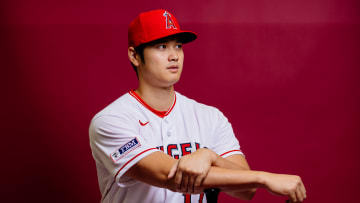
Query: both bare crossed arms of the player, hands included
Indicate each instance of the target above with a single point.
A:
(205, 169)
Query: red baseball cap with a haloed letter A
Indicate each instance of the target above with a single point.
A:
(157, 24)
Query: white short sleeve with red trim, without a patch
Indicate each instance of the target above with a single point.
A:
(224, 141)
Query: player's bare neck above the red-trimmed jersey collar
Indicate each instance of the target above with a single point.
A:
(160, 99)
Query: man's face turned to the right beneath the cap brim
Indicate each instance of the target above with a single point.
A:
(163, 63)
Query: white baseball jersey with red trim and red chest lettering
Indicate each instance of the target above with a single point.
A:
(128, 130)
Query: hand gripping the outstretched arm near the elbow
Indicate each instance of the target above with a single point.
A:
(191, 170)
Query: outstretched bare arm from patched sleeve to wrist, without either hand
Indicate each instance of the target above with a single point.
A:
(154, 170)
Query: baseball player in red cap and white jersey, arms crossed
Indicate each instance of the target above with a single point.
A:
(154, 144)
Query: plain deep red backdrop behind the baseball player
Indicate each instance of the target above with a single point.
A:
(285, 73)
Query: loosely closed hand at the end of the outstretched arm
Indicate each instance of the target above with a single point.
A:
(289, 185)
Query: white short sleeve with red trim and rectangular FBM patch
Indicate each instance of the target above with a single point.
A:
(117, 145)
